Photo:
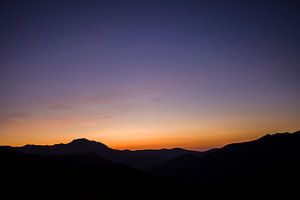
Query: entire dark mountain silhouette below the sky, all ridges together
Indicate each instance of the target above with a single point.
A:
(268, 167)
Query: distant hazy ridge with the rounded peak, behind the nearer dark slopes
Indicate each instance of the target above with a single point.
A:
(140, 159)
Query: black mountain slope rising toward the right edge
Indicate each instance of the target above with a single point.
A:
(269, 166)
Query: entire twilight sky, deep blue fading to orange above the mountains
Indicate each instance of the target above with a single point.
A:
(148, 74)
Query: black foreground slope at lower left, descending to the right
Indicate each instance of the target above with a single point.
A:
(81, 176)
